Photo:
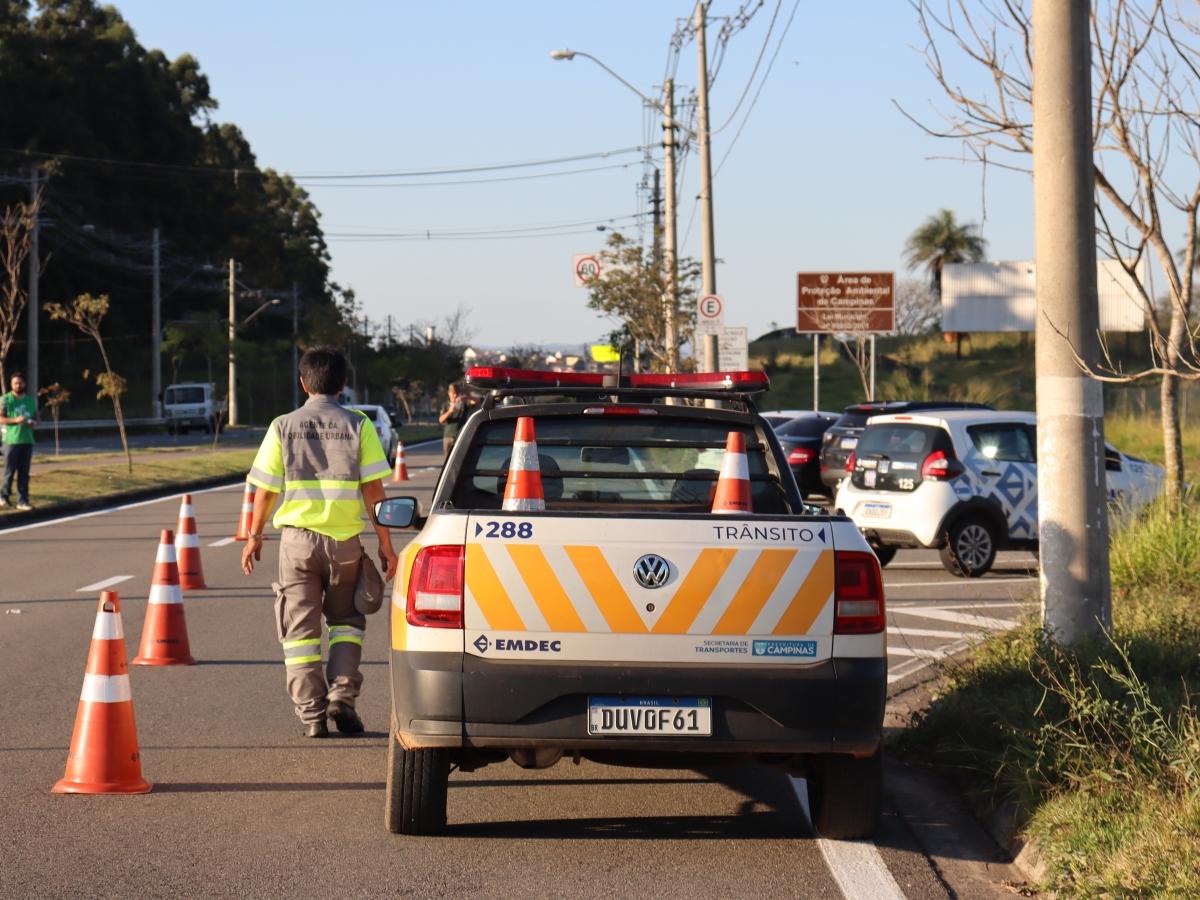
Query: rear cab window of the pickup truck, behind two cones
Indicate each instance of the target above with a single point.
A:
(619, 464)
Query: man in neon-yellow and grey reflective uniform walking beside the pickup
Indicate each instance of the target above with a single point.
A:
(327, 463)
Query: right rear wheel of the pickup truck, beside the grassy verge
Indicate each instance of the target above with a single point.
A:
(847, 795)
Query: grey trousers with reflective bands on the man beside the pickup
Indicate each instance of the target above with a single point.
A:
(319, 577)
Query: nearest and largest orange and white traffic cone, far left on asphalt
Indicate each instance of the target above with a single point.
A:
(104, 757)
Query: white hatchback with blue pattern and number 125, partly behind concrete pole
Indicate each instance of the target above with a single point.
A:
(964, 482)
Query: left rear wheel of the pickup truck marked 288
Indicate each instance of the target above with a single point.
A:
(416, 793)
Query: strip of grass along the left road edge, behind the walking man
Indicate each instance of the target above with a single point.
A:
(69, 483)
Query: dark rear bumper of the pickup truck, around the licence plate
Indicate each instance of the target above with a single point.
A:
(463, 701)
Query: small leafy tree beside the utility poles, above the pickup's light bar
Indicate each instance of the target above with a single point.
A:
(633, 295)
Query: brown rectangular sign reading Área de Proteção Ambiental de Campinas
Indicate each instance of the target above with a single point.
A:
(847, 303)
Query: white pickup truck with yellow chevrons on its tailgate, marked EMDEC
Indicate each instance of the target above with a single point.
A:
(626, 623)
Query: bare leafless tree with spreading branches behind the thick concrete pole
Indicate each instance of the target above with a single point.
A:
(1147, 139)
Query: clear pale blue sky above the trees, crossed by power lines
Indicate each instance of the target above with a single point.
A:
(827, 173)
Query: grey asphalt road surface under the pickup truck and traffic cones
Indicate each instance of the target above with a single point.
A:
(245, 807)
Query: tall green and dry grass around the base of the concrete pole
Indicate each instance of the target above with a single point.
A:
(1100, 746)
